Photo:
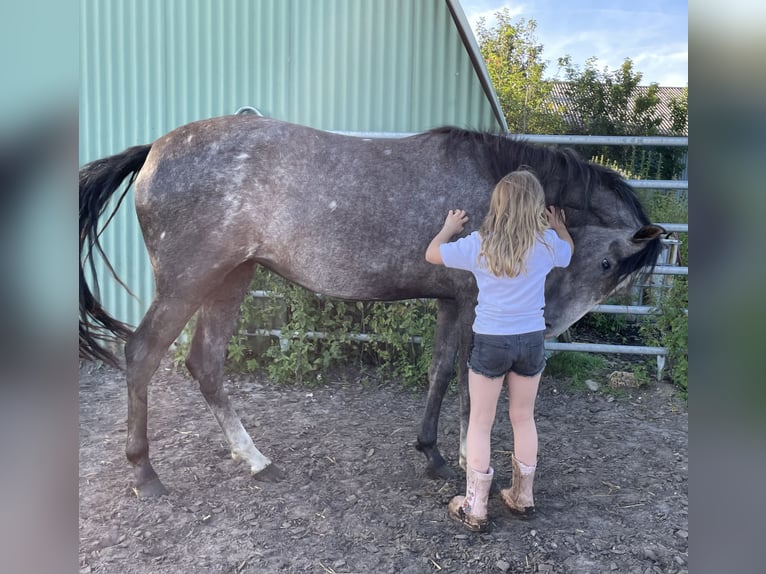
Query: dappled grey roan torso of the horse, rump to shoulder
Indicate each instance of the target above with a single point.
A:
(342, 215)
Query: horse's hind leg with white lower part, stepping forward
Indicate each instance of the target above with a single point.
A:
(216, 320)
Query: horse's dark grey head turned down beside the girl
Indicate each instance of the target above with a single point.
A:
(605, 259)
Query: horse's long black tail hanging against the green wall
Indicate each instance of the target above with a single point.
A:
(99, 180)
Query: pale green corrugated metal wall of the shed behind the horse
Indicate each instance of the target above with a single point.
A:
(148, 66)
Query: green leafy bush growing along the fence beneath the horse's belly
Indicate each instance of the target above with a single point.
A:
(318, 333)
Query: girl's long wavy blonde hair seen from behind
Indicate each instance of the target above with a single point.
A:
(515, 220)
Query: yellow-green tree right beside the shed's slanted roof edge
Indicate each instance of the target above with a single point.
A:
(514, 62)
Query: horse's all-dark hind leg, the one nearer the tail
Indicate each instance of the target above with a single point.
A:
(144, 350)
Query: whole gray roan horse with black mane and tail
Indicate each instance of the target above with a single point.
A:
(342, 216)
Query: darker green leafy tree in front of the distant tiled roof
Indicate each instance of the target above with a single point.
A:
(603, 102)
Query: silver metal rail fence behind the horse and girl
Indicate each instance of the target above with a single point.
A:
(667, 265)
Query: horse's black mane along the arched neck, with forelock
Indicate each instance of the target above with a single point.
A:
(501, 154)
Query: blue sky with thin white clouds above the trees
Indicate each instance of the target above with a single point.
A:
(652, 33)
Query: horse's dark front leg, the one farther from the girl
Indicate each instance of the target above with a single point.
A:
(439, 374)
